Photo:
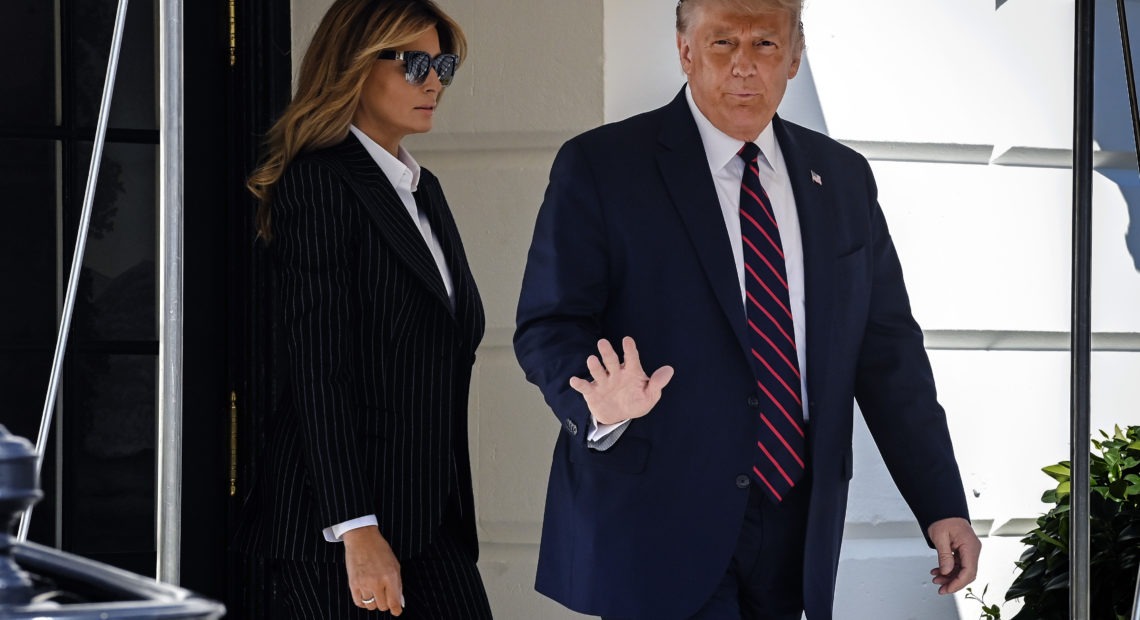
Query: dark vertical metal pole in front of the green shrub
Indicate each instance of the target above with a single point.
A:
(1081, 348)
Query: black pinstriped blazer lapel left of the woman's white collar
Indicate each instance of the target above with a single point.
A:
(388, 213)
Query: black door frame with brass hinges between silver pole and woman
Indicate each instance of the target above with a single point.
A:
(246, 77)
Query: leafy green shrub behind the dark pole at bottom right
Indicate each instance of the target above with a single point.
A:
(1115, 537)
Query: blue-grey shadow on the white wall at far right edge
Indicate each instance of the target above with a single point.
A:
(1113, 118)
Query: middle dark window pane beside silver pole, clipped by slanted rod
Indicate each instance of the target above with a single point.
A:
(117, 298)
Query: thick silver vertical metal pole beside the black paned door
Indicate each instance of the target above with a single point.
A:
(169, 515)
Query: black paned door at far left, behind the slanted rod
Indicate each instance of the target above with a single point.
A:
(100, 474)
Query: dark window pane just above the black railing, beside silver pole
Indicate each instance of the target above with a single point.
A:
(110, 469)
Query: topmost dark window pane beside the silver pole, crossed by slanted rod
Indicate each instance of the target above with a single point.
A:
(93, 23)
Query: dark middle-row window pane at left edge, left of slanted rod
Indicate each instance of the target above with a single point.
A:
(28, 243)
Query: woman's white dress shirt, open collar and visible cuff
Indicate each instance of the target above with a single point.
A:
(404, 174)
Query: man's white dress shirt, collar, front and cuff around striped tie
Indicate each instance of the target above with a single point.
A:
(728, 170)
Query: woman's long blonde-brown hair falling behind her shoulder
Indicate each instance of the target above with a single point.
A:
(332, 77)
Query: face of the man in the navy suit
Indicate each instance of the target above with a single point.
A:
(739, 67)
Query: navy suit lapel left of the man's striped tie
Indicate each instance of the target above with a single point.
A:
(686, 172)
